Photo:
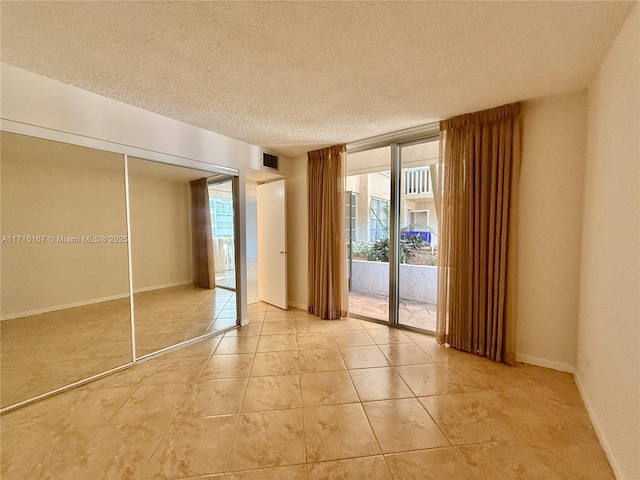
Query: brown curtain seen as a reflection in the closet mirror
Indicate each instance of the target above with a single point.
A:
(201, 235)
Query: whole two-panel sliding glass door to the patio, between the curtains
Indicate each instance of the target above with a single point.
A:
(391, 230)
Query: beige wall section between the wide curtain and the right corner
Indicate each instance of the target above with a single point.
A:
(551, 178)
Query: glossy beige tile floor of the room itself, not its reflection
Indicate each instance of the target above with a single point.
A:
(294, 397)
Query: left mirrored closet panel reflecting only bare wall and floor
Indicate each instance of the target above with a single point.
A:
(65, 306)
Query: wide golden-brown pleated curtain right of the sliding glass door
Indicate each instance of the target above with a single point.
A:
(477, 273)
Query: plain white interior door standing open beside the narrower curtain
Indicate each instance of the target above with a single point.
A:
(272, 244)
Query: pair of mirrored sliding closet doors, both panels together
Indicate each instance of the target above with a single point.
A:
(82, 229)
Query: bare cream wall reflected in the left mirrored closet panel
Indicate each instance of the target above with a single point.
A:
(52, 190)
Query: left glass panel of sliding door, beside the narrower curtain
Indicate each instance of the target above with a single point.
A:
(367, 212)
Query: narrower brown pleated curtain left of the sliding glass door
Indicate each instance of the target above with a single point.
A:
(327, 252)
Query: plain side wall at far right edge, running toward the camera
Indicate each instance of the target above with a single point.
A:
(608, 367)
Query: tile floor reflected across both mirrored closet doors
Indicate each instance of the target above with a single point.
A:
(41, 353)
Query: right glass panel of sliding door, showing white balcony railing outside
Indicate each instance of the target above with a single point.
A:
(418, 237)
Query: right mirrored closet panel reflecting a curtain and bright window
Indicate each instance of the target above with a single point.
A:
(181, 245)
